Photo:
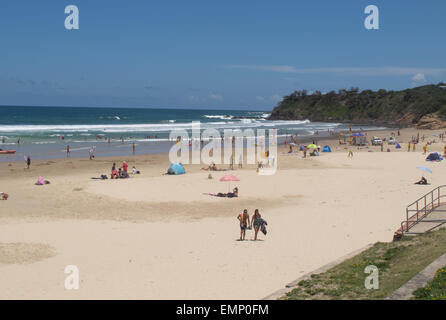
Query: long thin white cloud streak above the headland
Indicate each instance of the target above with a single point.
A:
(365, 71)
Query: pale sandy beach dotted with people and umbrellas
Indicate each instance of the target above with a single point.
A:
(160, 237)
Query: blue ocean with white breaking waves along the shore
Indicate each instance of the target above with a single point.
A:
(45, 132)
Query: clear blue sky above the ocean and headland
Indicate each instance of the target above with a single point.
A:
(213, 54)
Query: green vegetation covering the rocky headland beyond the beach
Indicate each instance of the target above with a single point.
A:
(404, 108)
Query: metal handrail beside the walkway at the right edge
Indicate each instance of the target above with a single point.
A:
(435, 196)
